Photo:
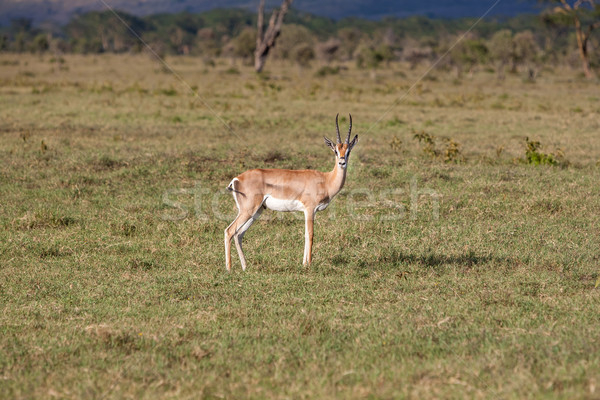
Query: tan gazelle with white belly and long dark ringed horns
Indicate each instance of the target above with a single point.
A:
(286, 190)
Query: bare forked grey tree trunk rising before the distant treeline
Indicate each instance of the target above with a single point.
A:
(265, 40)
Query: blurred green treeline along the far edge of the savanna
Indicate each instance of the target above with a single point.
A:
(528, 41)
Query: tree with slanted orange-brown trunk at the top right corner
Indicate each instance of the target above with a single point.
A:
(584, 15)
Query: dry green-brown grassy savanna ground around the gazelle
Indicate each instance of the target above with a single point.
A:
(112, 273)
